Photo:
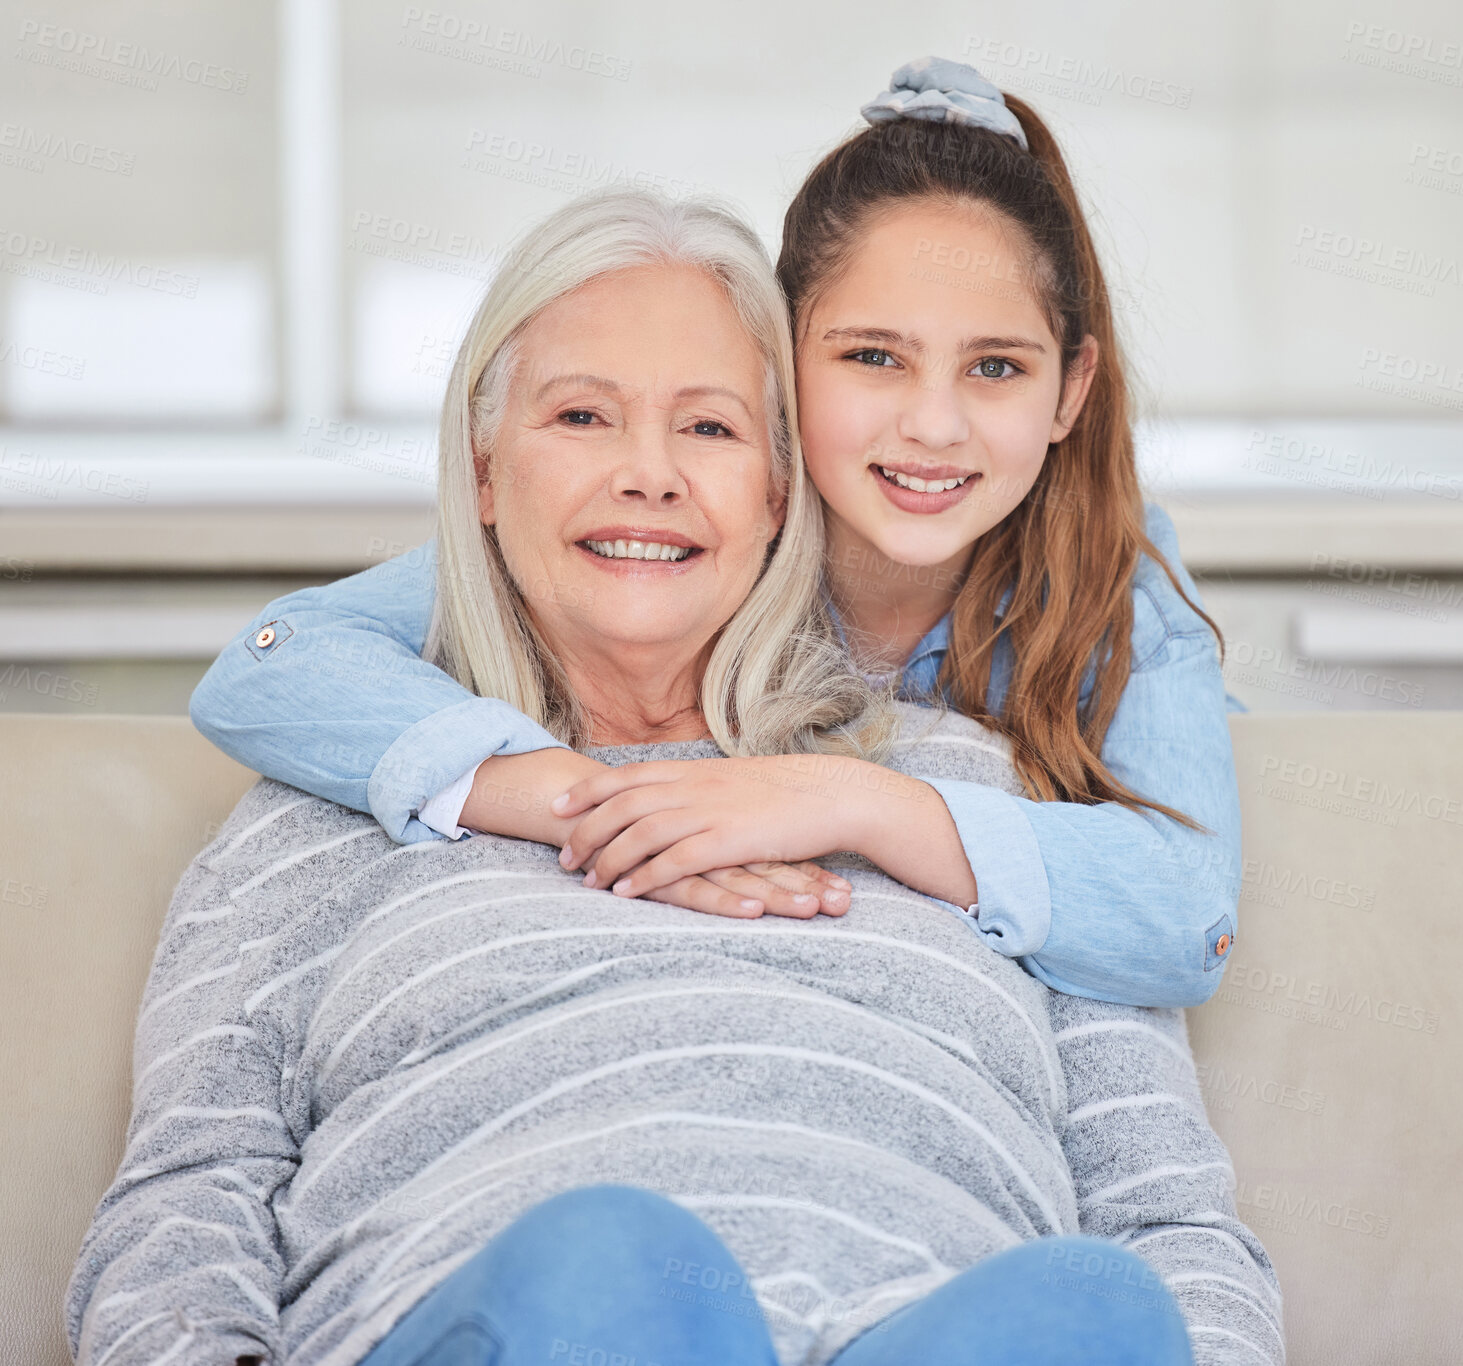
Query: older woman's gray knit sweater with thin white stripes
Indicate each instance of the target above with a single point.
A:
(358, 1061)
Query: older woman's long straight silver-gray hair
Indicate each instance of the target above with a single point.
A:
(778, 681)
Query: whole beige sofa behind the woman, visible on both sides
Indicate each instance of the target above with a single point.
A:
(1329, 1055)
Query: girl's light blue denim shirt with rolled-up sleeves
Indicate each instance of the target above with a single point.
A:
(327, 691)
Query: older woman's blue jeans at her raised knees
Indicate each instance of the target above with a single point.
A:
(617, 1276)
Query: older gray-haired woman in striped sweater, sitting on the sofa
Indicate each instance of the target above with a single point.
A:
(443, 1103)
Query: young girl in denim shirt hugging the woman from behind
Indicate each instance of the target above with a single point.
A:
(963, 413)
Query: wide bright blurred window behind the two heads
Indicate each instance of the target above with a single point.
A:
(255, 233)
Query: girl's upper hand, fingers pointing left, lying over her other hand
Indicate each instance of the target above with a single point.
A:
(649, 826)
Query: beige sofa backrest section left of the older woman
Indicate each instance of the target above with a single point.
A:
(99, 817)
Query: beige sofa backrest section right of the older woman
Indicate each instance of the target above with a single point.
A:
(1334, 1051)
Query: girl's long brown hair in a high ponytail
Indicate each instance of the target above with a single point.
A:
(1069, 552)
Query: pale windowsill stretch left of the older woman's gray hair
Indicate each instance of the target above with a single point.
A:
(214, 502)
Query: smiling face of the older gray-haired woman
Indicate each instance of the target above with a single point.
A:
(643, 463)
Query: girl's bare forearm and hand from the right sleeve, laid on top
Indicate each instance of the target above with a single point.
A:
(647, 826)
